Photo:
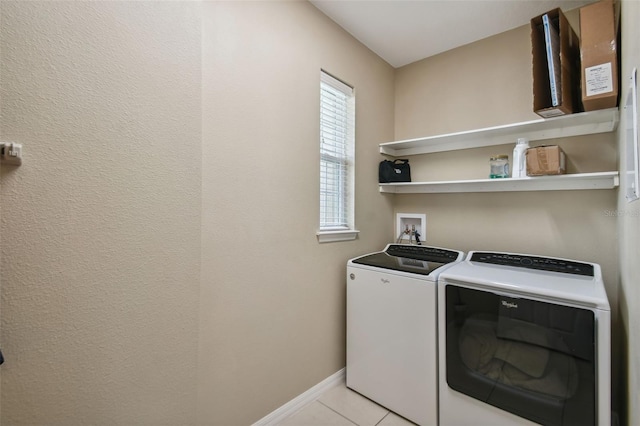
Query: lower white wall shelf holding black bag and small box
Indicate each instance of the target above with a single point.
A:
(601, 180)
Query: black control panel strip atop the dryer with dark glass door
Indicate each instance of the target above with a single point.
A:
(534, 262)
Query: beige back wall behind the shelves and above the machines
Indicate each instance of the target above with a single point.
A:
(489, 83)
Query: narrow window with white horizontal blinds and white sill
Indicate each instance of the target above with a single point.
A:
(337, 141)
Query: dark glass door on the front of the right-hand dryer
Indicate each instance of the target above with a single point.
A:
(531, 358)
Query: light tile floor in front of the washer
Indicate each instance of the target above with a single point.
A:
(340, 406)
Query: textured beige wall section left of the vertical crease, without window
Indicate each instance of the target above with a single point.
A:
(101, 223)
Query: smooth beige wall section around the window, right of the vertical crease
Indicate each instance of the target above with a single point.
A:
(272, 298)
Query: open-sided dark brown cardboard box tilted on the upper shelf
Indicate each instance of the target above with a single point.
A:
(568, 74)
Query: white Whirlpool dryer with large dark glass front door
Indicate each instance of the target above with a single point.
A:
(523, 340)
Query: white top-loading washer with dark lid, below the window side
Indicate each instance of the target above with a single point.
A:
(392, 328)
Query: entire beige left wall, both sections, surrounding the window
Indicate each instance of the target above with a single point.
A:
(159, 137)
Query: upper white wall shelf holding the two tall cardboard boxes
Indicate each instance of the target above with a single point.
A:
(584, 123)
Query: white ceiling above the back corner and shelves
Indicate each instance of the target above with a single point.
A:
(405, 31)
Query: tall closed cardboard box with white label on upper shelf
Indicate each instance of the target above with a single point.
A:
(599, 55)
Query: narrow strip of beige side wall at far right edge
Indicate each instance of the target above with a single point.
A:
(629, 228)
